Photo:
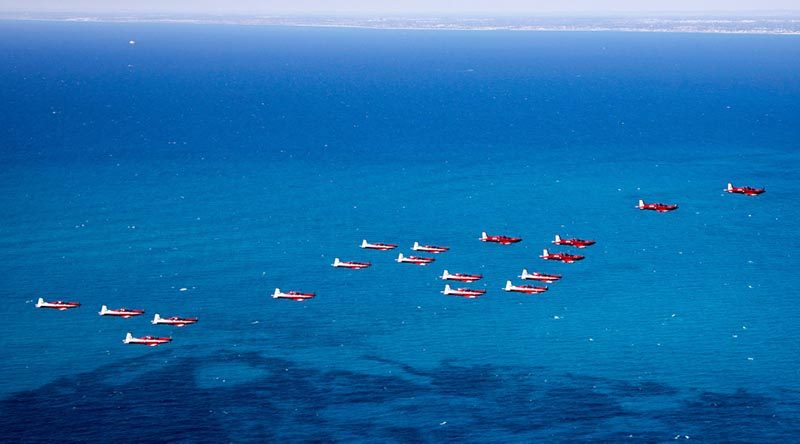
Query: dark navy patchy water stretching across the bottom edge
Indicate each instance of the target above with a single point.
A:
(287, 401)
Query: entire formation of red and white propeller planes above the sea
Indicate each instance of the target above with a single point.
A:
(461, 278)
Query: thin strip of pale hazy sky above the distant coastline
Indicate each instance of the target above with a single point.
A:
(409, 7)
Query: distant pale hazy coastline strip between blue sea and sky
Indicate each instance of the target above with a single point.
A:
(767, 24)
